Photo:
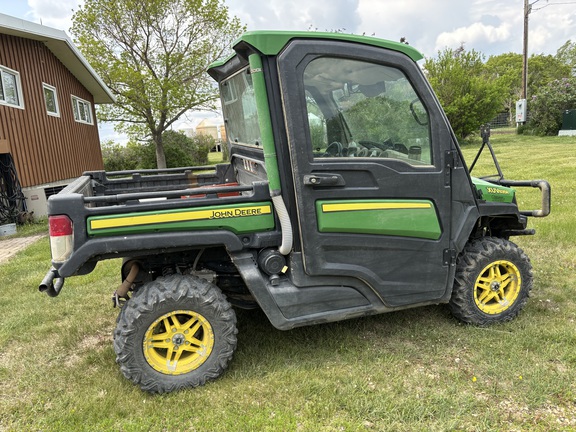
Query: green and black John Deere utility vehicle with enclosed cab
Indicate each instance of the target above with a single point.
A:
(345, 195)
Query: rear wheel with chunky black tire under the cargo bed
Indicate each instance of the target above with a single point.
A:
(175, 332)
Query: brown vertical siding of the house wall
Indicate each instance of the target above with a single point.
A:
(46, 148)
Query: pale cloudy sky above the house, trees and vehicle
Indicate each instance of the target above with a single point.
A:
(491, 27)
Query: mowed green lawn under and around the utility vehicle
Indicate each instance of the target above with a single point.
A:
(415, 370)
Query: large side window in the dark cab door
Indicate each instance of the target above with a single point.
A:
(362, 109)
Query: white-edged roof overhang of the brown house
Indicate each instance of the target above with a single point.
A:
(62, 47)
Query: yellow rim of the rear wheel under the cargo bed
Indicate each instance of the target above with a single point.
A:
(178, 342)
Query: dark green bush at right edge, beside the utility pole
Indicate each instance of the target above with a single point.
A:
(548, 105)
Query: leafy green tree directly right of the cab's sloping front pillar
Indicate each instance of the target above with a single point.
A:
(468, 94)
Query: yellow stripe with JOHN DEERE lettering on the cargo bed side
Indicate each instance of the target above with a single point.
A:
(148, 219)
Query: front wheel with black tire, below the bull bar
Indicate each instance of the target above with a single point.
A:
(492, 283)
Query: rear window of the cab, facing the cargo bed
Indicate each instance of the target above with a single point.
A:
(239, 108)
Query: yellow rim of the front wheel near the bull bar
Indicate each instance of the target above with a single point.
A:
(497, 287)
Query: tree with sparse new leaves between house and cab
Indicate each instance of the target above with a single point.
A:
(153, 55)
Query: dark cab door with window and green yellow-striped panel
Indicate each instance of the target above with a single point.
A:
(369, 151)
